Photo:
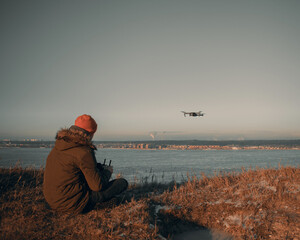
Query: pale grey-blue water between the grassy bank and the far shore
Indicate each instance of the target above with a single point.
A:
(164, 165)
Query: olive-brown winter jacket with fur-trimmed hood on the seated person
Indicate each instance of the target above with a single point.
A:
(71, 172)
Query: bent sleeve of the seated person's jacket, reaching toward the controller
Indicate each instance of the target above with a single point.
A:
(95, 179)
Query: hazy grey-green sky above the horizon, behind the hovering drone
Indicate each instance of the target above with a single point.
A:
(134, 65)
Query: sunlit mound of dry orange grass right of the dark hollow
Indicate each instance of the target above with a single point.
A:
(256, 204)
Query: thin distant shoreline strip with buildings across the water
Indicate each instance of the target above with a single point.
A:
(171, 145)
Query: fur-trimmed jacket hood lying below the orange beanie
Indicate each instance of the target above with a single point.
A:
(70, 138)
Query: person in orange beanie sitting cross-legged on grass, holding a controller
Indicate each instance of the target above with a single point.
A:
(73, 180)
